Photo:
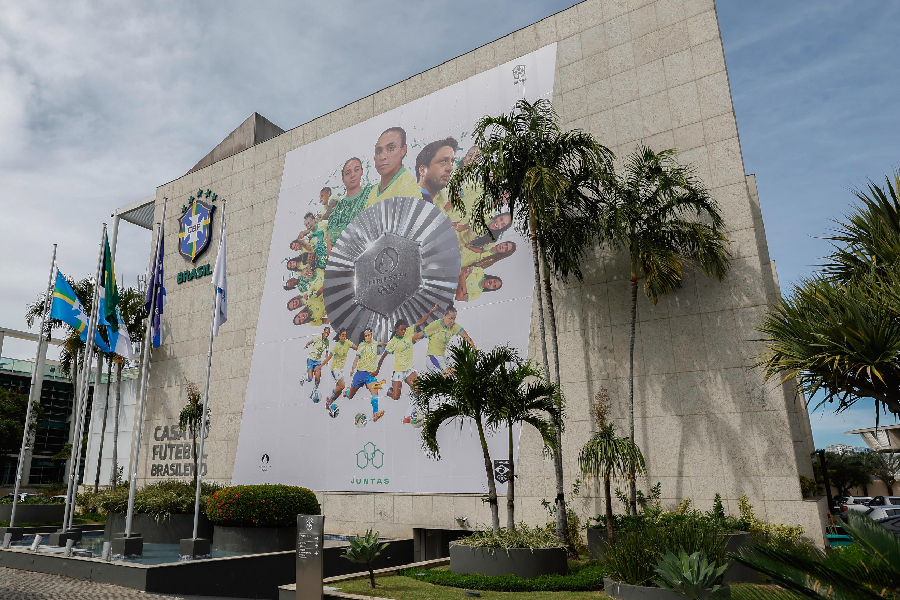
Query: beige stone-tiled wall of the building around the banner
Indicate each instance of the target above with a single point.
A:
(630, 72)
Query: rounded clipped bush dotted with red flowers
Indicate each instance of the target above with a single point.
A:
(261, 505)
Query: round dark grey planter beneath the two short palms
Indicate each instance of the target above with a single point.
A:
(520, 562)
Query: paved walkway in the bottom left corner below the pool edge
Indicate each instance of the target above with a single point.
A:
(27, 585)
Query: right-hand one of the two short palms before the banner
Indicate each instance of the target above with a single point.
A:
(518, 394)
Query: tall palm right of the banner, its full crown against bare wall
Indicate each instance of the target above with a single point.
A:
(662, 215)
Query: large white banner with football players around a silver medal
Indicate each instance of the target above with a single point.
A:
(372, 276)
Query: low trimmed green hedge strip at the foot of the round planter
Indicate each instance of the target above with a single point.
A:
(582, 577)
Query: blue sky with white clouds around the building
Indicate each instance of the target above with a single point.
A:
(99, 106)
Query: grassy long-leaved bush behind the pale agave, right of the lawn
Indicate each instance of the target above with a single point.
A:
(632, 558)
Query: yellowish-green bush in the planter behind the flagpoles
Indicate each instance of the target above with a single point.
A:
(159, 499)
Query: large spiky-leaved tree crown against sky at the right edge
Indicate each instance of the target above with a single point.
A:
(837, 332)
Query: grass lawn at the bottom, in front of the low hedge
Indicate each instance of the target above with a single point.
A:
(405, 588)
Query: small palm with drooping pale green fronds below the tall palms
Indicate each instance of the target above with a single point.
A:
(608, 456)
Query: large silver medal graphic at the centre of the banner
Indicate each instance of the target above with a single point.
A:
(395, 260)
